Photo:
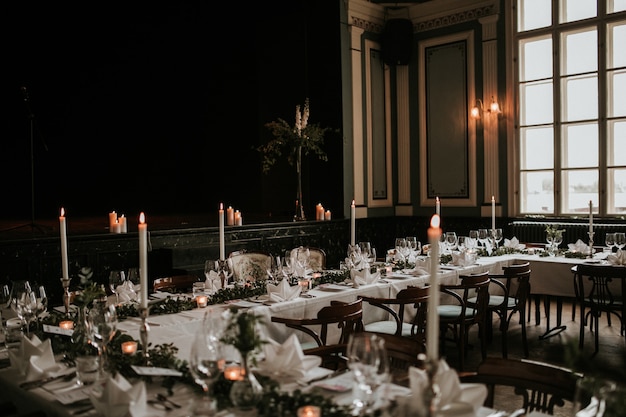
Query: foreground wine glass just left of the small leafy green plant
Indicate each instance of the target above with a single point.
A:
(206, 362)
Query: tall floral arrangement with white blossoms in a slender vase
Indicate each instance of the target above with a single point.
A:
(294, 142)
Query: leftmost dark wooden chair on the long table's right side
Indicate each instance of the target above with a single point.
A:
(348, 317)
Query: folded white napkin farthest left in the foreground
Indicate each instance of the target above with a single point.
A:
(34, 359)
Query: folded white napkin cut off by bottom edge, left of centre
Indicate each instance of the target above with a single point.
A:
(119, 398)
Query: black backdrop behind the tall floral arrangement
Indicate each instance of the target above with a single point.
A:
(140, 106)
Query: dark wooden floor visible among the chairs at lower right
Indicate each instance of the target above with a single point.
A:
(609, 362)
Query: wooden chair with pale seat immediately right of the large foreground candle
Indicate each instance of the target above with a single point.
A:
(458, 316)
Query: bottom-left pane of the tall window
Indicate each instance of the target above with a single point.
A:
(537, 192)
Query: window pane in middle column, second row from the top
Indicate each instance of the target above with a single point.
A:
(579, 51)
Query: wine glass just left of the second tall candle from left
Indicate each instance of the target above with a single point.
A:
(101, 326)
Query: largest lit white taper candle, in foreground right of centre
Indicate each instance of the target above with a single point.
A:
(432, 328)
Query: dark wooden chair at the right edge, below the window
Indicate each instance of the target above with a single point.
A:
(597, 295)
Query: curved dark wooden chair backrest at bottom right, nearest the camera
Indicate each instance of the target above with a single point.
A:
(541, 386)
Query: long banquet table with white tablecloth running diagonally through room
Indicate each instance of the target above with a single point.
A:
(180, 328)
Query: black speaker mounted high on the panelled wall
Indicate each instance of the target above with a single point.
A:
(396, 41)
